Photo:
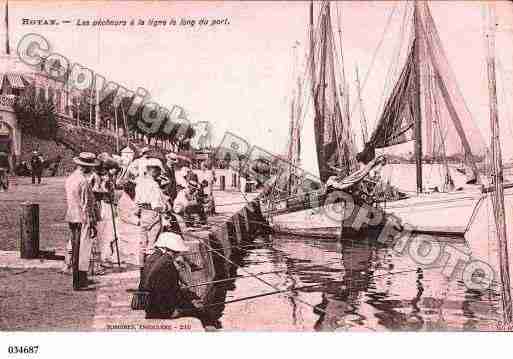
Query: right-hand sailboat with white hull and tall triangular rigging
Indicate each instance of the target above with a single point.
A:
(426, 107)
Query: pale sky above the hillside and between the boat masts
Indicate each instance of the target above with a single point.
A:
(239, 76)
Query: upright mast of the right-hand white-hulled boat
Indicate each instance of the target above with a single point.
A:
(418, 120)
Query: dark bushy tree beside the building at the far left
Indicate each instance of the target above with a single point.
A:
(36, 114)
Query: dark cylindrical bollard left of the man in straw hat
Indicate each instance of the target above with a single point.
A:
(29, 230)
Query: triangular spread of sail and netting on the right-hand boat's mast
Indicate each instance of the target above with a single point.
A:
(426, 91)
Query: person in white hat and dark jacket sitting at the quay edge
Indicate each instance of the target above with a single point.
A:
(160, 277)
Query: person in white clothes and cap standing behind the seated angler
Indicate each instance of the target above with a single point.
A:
(152, 203)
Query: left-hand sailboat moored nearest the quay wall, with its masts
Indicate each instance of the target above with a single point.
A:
(293, 207)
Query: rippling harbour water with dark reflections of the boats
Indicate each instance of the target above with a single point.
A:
(361, 286)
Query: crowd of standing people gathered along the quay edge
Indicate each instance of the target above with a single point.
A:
(117, 210)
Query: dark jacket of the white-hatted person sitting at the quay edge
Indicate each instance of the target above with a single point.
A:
(160, 278)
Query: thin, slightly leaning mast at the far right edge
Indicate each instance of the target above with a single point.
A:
(497, 175)
